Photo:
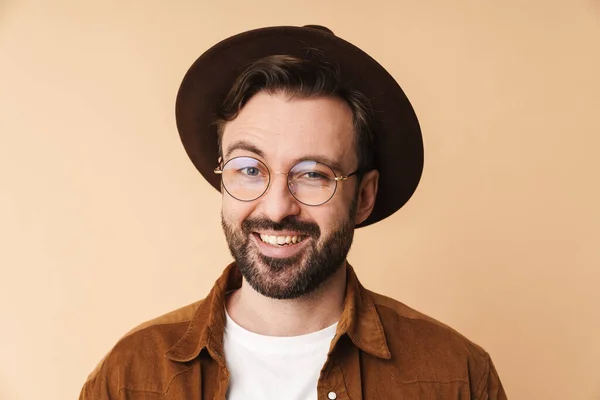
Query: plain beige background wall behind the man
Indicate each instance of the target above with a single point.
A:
(104, 222)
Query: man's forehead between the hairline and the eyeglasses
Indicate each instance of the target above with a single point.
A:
(285, 129)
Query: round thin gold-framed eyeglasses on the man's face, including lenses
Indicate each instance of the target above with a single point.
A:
(310, 182)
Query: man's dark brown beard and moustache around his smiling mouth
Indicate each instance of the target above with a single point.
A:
(295, 276)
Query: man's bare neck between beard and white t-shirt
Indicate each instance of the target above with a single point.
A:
(272, 317)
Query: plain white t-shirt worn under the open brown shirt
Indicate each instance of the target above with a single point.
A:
(272, 367)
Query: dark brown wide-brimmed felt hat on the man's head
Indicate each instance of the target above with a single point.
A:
(399, 154)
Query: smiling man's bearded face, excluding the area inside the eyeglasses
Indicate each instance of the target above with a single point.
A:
(280, 132)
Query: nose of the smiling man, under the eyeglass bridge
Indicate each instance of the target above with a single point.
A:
(278, 203)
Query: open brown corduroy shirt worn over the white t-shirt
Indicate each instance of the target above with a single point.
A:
(382, 350)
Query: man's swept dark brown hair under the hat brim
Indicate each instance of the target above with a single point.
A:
(302, 78)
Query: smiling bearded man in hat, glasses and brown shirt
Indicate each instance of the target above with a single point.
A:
(308, 138)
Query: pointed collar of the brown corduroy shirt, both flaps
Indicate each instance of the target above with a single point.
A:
(359, 321)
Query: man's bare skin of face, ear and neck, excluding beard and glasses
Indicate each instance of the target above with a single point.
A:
(285, 130)
